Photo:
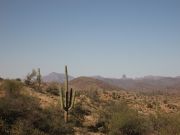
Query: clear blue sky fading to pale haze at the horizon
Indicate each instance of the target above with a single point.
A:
(93, 37)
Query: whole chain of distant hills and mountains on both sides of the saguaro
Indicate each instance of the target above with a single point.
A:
(144, 83)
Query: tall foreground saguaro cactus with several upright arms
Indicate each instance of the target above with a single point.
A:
(67, 98)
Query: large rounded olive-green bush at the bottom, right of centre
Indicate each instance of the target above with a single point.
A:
(118, 119)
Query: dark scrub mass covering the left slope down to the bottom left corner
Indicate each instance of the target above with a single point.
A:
(21, 114)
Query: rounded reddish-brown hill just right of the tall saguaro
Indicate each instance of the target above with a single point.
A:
(87, 83)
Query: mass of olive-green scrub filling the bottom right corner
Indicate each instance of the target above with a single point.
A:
(118, 119)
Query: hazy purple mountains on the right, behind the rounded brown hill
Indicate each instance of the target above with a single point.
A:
(146, 83)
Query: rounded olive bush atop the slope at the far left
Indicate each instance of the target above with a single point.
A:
(12, 87)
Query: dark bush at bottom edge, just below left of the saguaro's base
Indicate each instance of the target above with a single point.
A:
(51, 121)
